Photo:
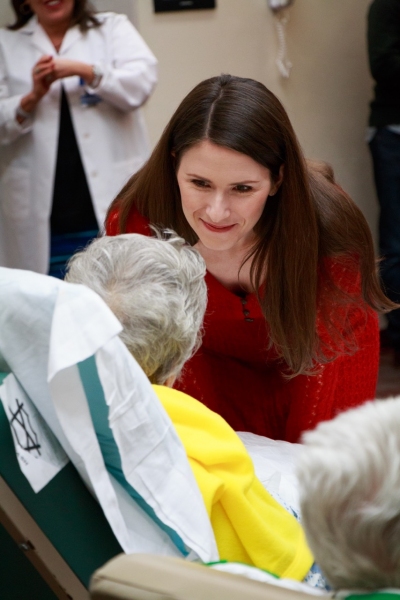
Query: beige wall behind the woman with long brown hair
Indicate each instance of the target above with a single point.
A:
(326, 95)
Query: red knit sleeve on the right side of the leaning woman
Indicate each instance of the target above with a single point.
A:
(351, 378)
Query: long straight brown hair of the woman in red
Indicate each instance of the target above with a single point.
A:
(309, 218)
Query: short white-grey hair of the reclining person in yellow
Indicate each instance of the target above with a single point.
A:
(156, 289)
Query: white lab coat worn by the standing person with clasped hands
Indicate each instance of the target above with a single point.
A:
(111, 136)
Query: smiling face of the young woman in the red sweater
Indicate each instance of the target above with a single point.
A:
(223, 195)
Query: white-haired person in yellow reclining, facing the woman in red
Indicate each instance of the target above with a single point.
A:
(156, 288)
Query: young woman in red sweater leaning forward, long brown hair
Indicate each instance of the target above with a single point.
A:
(291, 333)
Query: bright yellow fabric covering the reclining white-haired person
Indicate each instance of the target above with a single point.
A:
(249, 525)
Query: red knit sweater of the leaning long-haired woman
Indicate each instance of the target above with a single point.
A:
(234, 373)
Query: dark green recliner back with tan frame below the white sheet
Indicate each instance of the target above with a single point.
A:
(52, 541)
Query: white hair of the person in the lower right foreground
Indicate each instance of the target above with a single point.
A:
(349, 478)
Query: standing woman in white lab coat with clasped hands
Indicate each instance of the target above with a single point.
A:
(71, 131)
